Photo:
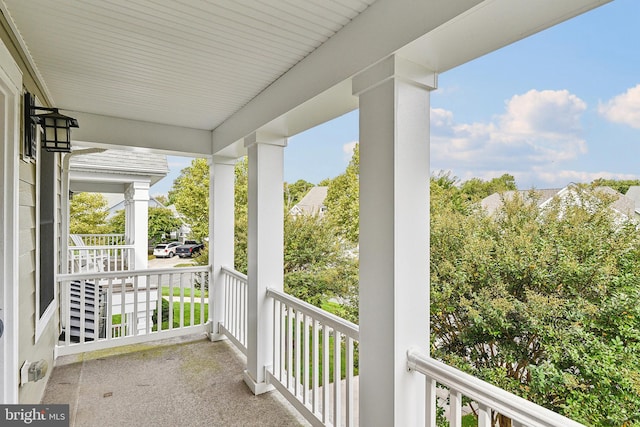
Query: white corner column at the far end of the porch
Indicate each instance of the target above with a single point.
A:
(221, 235)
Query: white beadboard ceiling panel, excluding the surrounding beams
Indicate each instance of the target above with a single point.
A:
(190, 63)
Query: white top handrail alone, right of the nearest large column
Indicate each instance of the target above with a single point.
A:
(483, 393)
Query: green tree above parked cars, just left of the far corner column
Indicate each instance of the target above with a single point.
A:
(190, 195)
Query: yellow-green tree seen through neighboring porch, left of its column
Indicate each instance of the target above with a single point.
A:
(88, 213)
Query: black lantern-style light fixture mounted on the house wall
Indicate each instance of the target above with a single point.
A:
(56, 127)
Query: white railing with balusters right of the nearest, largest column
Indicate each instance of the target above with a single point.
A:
(487, 399)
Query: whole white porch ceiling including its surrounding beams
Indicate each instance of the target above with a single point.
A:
(197, 76)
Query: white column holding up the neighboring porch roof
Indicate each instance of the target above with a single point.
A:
(137, 222)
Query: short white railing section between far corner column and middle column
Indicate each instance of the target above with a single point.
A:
(234, 325)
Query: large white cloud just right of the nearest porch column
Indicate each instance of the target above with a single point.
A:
(537, 128)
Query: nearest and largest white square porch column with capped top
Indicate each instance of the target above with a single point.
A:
(394, 239)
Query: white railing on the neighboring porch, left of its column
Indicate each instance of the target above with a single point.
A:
(87, 259)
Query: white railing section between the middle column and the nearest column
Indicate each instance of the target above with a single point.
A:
(314, 361)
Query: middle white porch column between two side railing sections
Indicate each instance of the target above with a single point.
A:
(265, 250)
